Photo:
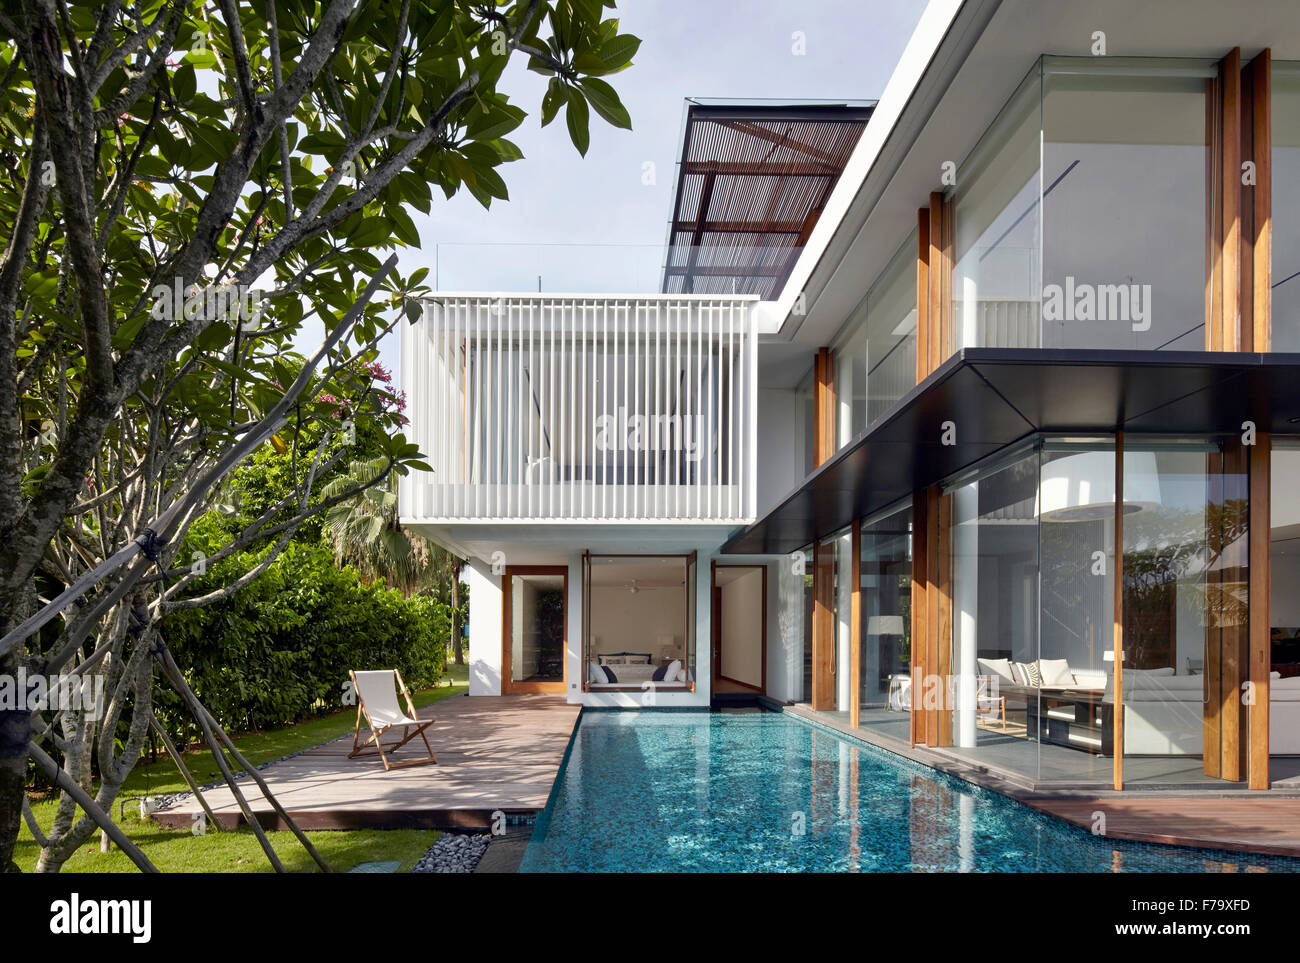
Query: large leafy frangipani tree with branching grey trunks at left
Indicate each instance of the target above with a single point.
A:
(184, 186)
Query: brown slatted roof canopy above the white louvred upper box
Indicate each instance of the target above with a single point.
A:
(752, 183)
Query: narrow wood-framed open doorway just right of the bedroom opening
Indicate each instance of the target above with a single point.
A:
(740, 630)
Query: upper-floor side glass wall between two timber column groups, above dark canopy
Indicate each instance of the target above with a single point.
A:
(876, 359)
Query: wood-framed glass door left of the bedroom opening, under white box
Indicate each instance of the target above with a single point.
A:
(535, 630)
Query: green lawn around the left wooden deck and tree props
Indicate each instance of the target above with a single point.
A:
(174, 851)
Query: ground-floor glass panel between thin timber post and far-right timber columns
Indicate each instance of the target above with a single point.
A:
(1185, 604)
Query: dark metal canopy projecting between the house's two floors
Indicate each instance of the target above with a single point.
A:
(998, 397)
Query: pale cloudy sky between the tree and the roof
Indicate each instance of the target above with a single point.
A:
(599, 214)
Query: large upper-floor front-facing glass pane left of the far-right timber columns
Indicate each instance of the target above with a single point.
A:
(1125, 175)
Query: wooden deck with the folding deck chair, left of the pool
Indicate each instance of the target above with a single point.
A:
(495, 753)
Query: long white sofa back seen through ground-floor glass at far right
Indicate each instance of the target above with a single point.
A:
(1165, 714)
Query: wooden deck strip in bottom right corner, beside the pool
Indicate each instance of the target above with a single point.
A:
(1255, 823)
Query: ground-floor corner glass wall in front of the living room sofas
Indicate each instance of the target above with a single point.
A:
(1033, 546)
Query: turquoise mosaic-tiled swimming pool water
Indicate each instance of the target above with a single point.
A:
(764, 792)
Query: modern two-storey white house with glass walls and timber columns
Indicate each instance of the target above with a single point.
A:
(965, 419)
